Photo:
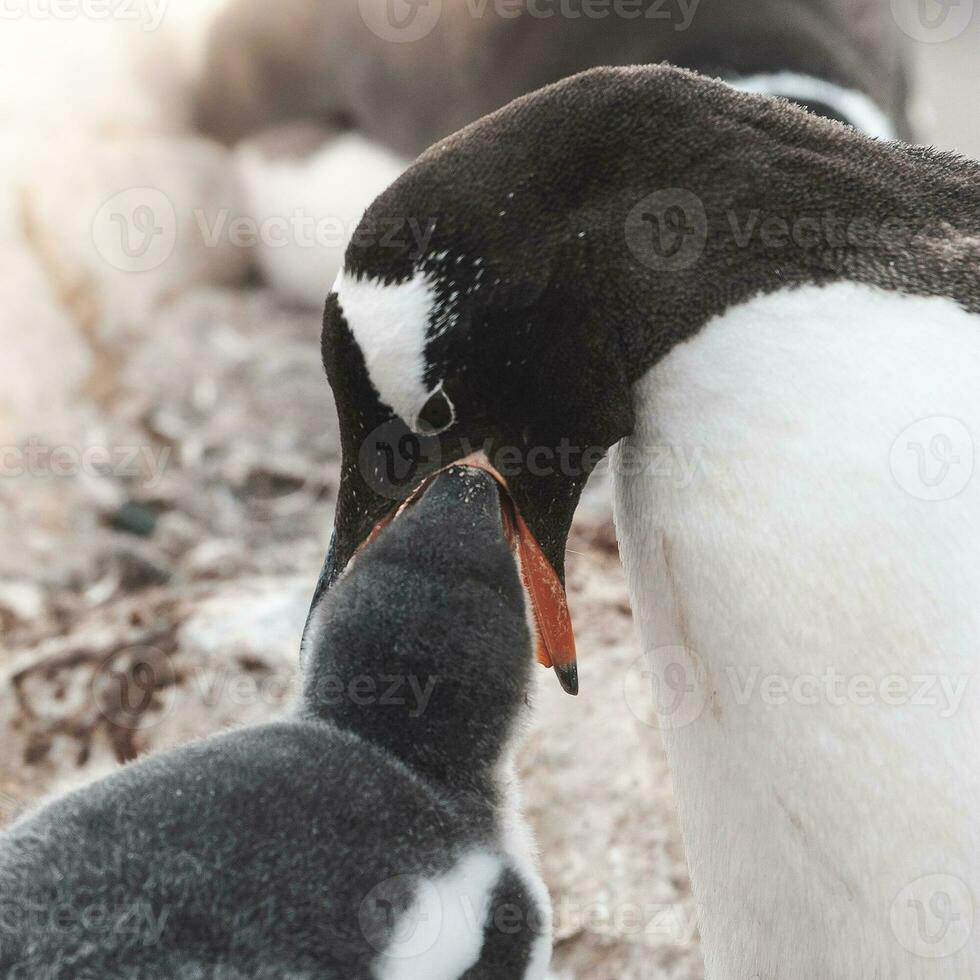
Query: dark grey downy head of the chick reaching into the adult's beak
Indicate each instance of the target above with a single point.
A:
(423, 645)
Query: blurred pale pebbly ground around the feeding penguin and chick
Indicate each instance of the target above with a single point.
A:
(168, 472)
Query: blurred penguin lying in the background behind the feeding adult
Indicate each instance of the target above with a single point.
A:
(381, 80)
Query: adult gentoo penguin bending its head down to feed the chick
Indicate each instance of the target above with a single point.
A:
(649, 259)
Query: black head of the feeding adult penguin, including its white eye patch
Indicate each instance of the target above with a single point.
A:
(466, 318)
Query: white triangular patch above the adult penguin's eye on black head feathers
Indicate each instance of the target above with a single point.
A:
(390, 323)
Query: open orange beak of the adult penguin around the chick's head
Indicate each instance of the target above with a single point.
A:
(549, 604)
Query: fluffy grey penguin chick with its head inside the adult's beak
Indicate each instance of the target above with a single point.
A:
(373, 836)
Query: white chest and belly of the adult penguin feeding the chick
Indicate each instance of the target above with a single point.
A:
(799, 516)
